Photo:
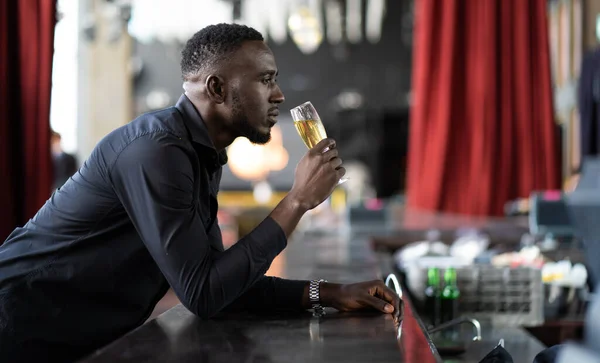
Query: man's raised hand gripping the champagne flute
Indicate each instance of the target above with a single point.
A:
(317, 174)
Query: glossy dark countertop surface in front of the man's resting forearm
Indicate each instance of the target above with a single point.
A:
(178, 336)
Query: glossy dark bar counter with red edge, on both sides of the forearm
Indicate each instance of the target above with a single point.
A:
(179, 336)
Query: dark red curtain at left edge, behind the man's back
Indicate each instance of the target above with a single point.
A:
(26, 49)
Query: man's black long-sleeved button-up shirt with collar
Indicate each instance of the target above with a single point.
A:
(140, 215)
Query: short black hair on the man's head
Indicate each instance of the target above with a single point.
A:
(213, 44)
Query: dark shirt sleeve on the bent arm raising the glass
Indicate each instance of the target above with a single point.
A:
(154, 179)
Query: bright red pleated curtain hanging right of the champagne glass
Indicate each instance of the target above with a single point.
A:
(482, 129)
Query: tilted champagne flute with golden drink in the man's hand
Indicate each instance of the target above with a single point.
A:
(309, 126)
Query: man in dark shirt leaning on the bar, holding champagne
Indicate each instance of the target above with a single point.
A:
(140, 216)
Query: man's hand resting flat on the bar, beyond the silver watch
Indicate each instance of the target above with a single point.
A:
(363, 295)
